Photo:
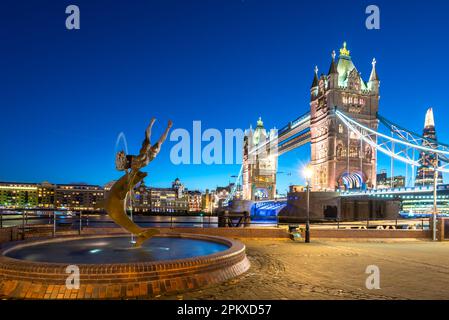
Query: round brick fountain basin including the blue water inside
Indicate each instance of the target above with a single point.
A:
(109, 269)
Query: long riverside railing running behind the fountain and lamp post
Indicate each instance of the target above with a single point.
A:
(32, 220)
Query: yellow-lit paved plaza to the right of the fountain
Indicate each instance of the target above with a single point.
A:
(282, 269)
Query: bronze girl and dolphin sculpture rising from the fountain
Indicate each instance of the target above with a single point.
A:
(114, 202)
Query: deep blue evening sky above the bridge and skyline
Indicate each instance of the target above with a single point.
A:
(66, 95)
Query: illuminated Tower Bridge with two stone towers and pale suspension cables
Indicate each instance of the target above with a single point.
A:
(346, 134)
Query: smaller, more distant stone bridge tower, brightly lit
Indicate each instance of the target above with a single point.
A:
(259, 163)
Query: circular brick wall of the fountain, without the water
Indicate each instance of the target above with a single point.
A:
(33, 280)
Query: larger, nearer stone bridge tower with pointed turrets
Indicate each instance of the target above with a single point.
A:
(339, 159)
